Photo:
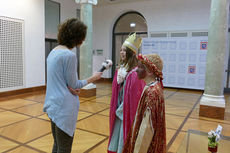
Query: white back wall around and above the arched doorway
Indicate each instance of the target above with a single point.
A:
(161, 15)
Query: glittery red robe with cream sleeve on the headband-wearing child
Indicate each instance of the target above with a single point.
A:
(148, 133)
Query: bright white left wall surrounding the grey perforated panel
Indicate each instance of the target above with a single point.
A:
(32, 12)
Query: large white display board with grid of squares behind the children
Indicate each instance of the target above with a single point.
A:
(184, 60)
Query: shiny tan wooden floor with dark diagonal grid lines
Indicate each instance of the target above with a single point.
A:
(24, 128)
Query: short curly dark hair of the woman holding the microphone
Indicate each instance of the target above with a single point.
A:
(71, 33)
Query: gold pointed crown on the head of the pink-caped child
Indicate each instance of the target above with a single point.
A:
(133, 42)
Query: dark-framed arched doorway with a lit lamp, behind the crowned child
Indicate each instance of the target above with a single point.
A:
(125, 25)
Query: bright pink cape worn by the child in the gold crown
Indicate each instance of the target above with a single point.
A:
(132, 93)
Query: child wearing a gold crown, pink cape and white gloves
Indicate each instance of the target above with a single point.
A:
(126, 92)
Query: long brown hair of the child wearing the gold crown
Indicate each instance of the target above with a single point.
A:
(130, 60)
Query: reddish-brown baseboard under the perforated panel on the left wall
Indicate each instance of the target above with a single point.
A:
(22, 91)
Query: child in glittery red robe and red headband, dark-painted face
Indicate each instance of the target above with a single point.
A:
(148, 133)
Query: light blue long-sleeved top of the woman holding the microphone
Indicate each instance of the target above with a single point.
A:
(60, 105)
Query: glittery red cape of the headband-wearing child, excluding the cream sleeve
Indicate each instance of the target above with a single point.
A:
(153, 100)
